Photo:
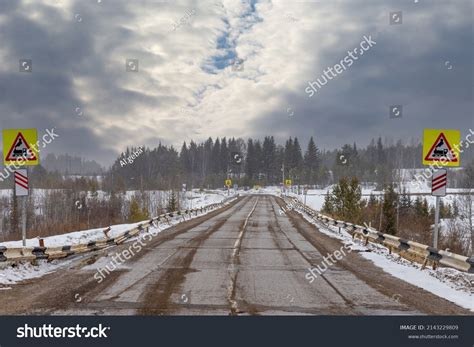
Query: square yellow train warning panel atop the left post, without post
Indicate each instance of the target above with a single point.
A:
(20, 147)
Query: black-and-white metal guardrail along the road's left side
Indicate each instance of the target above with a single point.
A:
(58, 252)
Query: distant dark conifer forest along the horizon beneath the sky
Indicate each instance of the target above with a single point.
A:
(247, 162)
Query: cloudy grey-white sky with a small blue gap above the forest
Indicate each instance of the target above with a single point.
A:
(232, 68)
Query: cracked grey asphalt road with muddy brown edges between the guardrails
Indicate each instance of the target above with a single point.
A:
(246, 259)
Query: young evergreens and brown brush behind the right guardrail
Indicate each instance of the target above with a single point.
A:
(397, 213)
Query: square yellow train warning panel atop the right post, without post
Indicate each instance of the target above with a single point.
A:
(441, 147)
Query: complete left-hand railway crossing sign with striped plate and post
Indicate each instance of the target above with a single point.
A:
(20, 150)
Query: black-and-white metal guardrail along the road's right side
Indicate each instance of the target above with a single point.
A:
(410, 250)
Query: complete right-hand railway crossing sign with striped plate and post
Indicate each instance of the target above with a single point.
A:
(440, 149)
